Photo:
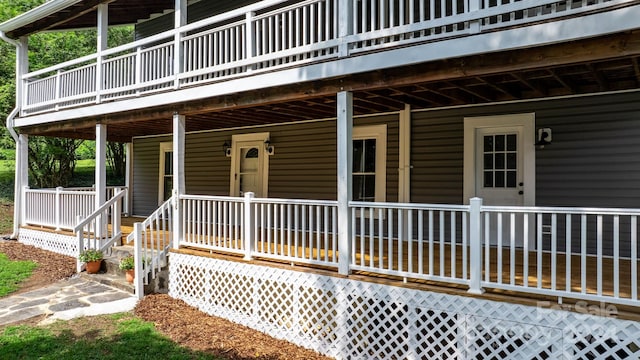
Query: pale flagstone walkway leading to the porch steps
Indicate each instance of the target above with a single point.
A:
(64, 300)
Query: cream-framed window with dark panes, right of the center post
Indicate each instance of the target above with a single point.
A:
(369, 163)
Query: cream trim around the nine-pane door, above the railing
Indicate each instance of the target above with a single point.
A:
(527, 122)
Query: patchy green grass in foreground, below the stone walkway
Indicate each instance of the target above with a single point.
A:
(120, 336)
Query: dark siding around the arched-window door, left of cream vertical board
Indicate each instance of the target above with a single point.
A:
(303, 166)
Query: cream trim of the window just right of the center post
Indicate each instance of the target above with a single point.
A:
(379, 133)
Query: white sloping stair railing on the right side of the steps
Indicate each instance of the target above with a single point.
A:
(152, 241)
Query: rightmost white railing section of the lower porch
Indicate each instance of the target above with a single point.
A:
(581, 253)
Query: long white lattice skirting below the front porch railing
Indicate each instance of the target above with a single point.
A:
(350, 319)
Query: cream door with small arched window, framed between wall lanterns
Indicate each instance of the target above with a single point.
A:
(249, 165)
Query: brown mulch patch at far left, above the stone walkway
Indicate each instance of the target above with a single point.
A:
(51, 266)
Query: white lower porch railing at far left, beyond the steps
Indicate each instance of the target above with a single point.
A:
(60, 207)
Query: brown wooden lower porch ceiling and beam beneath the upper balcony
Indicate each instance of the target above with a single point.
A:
(610, 63)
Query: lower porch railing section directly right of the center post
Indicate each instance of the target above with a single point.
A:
(387, 237)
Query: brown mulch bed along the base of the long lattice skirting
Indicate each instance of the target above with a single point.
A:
(196, 330)
